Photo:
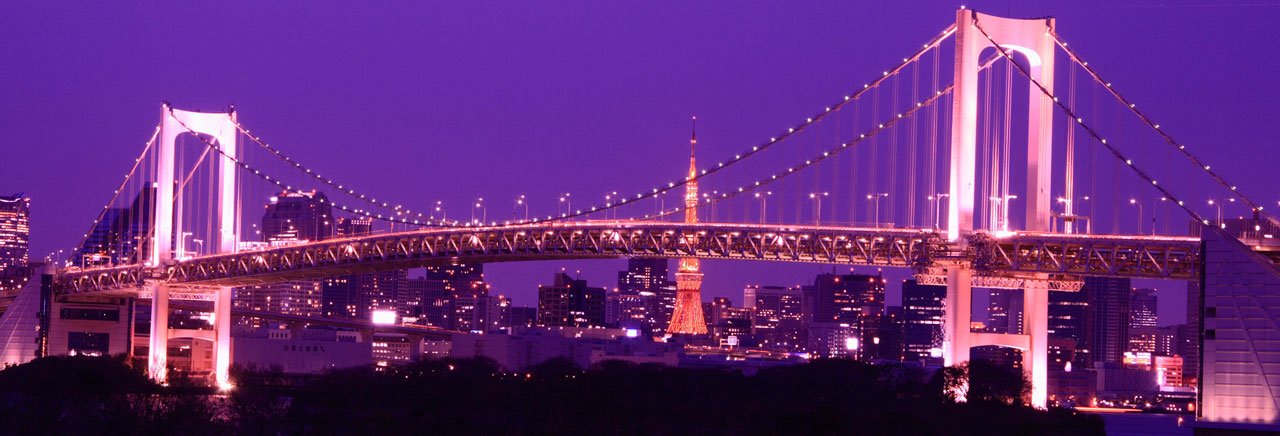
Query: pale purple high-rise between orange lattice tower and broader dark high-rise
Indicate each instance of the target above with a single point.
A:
(778, 316)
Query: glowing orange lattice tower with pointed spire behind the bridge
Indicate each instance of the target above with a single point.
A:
(688, 318)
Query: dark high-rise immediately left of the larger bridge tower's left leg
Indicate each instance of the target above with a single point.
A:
(922, 323)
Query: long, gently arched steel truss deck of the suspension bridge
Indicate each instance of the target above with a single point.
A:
(1066, 256)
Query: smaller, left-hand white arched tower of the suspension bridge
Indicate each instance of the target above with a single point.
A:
(166, 250)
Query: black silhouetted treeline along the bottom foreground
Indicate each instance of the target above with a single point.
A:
(106, 397)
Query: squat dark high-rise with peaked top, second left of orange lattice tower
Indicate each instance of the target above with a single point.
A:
(570, 304)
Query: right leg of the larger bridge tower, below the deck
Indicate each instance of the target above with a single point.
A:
(1036, 325)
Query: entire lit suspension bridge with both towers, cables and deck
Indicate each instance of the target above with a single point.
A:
(981, 160)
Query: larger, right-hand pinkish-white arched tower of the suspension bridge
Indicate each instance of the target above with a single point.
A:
(1034, 40)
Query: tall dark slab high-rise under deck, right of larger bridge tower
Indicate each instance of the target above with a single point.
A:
(1109, 318)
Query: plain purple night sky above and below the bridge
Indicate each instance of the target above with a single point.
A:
(450, 102)
